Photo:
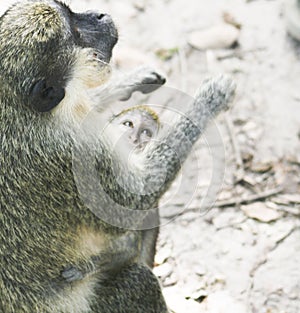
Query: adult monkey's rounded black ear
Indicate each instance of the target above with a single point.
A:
(44, 98)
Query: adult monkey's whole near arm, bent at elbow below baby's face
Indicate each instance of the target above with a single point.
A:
(138, 189)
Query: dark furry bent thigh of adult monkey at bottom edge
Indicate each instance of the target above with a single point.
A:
(133, 290)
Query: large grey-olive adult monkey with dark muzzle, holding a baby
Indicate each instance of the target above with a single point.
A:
(53, 64)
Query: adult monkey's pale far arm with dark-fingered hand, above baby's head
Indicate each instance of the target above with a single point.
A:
(143, 79)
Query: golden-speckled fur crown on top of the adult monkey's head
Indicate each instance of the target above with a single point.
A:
(34, 21)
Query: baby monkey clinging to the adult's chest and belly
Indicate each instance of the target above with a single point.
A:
(134, 128)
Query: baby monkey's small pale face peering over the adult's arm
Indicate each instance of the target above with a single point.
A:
(137, 126)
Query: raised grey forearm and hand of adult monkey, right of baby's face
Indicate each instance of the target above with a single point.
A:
(165, 159)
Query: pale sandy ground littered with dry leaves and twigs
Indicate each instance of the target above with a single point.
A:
(243, 253)
